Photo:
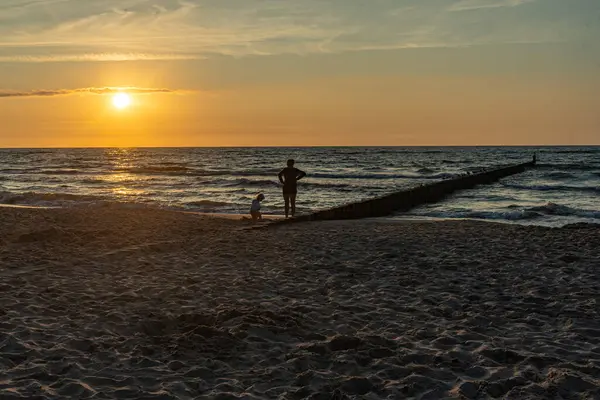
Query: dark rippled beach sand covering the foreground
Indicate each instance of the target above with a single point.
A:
(144, 304)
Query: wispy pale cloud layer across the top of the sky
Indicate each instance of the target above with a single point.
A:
(74, 30)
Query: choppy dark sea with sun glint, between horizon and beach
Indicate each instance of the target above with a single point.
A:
(564, 188)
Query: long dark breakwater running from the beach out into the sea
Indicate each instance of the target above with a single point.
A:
(409, 198)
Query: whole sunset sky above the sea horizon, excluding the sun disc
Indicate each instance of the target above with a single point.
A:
(299, 72)
